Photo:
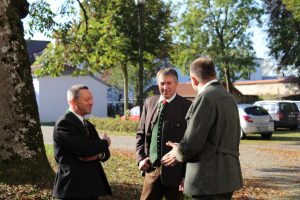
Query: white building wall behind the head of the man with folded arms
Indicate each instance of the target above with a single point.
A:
(53, 96)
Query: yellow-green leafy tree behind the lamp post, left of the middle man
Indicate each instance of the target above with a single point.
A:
(105, 37)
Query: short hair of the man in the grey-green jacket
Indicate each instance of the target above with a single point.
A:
(203, 68)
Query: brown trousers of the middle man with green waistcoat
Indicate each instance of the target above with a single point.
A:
(153, 189)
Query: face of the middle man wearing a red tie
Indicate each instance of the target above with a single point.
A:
(167, 86)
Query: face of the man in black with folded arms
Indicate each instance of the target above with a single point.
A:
(84, 103)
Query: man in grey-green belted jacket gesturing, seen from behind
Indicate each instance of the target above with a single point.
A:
(210, 145)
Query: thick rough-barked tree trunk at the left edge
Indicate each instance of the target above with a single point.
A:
(22, 152)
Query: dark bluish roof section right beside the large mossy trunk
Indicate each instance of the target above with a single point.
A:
(35, 48)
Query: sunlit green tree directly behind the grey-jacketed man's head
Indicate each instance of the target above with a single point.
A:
(220, 29)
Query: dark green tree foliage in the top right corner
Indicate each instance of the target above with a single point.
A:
(284, 36)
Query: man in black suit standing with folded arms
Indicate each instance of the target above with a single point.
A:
(78, 151)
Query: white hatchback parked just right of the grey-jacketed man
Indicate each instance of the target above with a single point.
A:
(255, 120)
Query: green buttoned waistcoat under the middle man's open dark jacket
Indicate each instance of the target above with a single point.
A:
(155, 146)
